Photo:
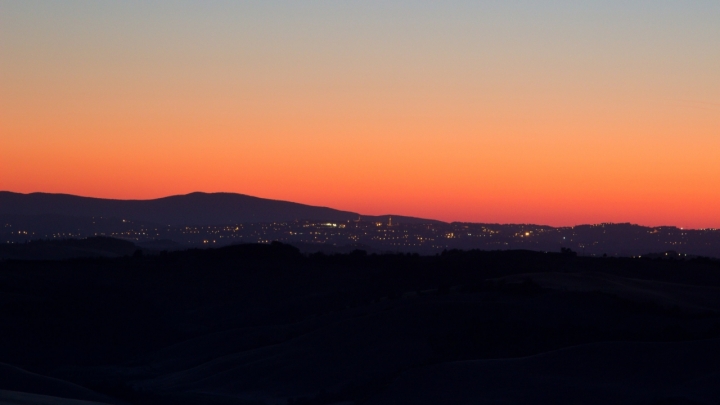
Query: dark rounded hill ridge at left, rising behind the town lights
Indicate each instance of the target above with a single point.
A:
(189, 209)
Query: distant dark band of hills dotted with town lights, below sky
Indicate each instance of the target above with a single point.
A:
(219, 219)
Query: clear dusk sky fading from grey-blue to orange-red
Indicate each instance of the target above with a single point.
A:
(547, 112)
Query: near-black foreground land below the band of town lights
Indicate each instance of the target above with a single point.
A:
(264, 324)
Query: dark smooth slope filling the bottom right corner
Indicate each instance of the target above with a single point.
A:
(601, 373)
